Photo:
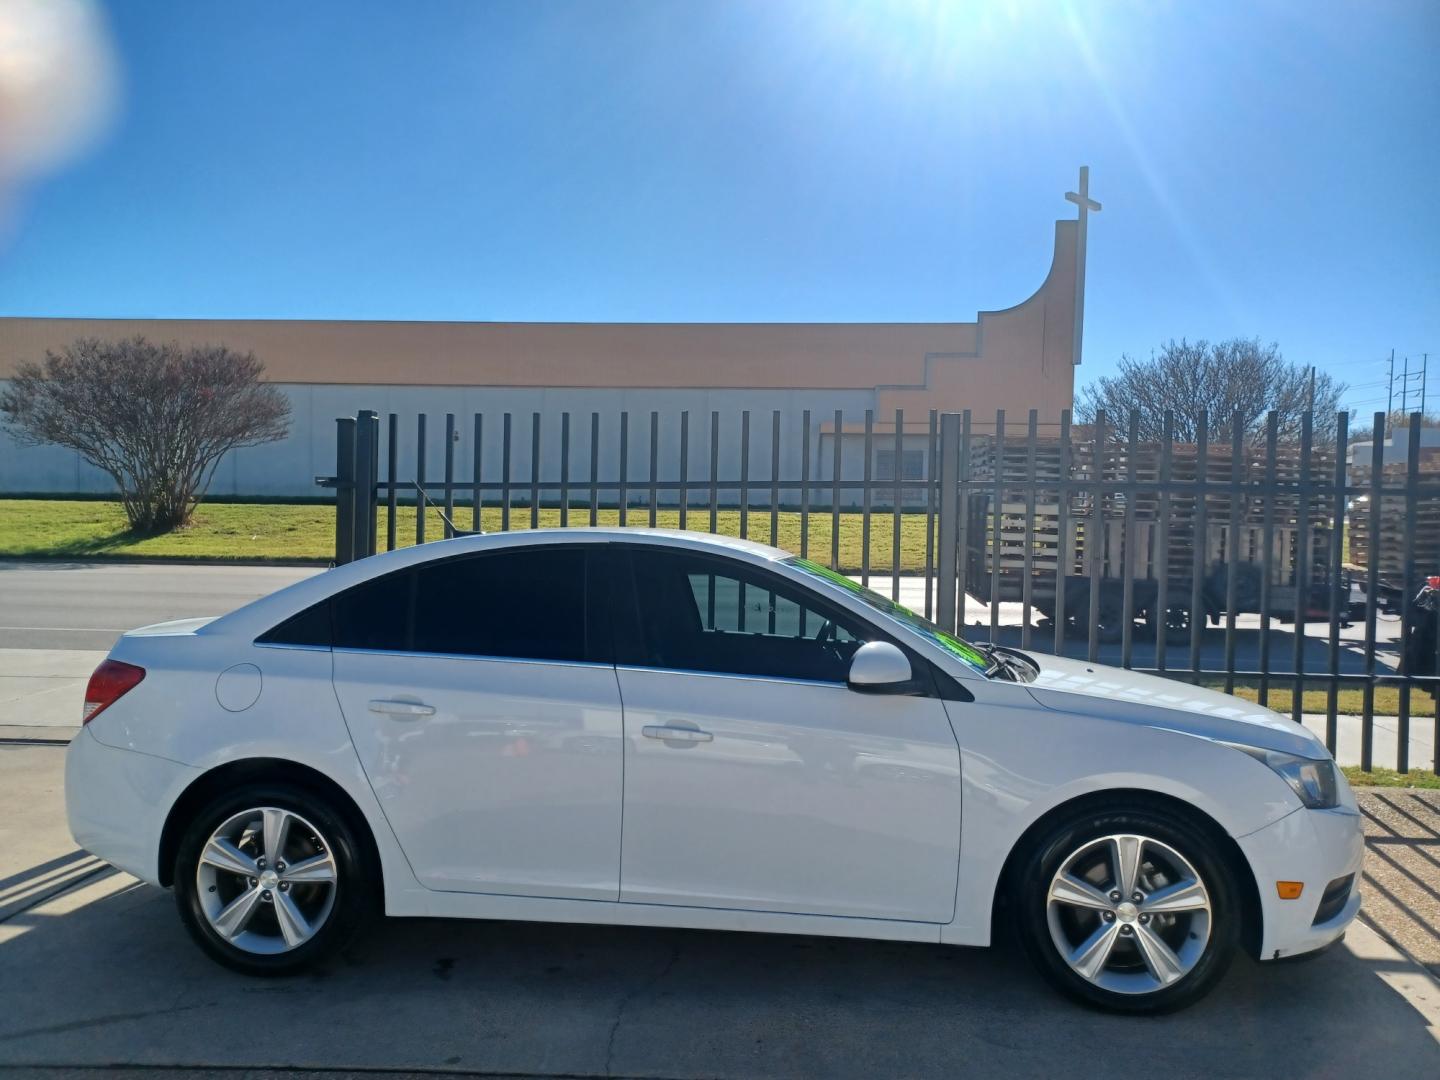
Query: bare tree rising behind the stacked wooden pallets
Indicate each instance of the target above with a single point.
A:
(1233, 382)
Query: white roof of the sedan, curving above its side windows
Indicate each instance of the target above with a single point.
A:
(267, 611)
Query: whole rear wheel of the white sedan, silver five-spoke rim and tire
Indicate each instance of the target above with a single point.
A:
(271, 879)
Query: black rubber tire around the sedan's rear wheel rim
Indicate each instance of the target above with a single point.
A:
(355, 891)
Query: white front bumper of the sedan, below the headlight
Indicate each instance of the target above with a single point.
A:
(1314, 847)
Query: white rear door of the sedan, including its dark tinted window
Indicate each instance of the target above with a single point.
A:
(483, 702)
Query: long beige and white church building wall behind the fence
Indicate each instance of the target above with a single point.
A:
(1016, 359)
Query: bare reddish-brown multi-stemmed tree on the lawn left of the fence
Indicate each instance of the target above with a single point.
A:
(158, 418)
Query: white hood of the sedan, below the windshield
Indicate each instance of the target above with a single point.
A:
(1074, 686)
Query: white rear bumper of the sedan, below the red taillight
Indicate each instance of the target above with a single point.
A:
(117, 803)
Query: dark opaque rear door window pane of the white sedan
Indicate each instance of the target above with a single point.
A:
(528, 606)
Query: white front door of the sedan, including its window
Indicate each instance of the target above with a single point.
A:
(754, 778)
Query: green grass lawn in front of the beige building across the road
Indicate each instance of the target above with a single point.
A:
(280, 531)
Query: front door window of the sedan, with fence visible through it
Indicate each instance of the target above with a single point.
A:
(701, 614)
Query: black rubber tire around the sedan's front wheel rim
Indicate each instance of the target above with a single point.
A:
(1030, 906)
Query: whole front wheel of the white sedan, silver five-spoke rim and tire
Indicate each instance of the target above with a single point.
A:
(1128, 911)
